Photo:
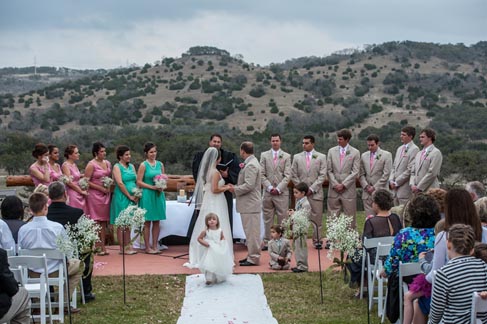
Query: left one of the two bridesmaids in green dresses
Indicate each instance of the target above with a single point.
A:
(125, 177)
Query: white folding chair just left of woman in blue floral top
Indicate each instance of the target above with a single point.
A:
(382, 251)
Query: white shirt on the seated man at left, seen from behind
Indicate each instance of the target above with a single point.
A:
(41, 233)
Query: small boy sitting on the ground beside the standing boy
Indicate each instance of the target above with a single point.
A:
(279, 249)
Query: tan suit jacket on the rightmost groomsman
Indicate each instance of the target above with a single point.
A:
(424, 173)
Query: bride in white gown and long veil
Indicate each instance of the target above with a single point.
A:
(209, 198)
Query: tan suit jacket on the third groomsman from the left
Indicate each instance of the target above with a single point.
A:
(345, 174)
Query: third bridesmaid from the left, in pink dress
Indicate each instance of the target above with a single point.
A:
(76, 195)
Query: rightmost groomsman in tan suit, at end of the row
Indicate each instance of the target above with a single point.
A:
(427, 164)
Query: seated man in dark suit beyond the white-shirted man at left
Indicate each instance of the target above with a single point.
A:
(64, 214)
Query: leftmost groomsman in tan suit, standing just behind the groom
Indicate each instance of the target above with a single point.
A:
(276, 172)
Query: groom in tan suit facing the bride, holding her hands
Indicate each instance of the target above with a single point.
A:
(249, 202)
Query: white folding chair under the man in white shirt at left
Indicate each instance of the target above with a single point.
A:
(61, 280)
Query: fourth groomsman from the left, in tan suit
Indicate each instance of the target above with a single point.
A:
(375, 169)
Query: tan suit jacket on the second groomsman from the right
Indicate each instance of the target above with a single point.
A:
(401, 171)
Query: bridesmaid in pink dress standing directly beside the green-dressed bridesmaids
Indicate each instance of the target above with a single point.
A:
(98, 199)
